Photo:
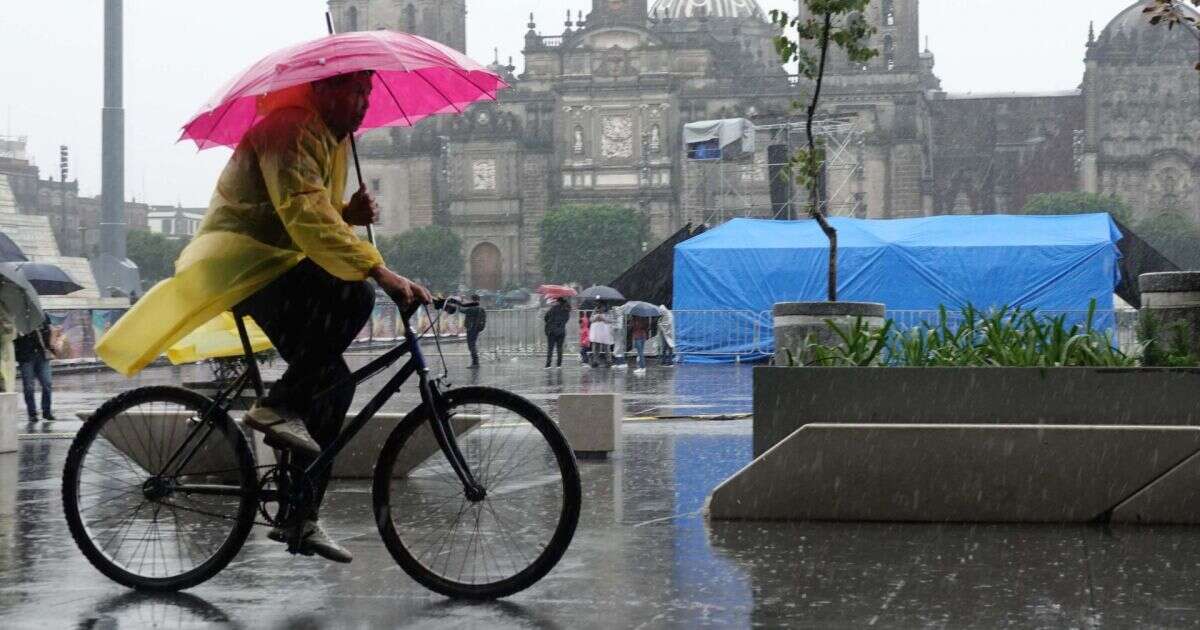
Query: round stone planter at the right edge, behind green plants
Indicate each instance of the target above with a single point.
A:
(1171, 309)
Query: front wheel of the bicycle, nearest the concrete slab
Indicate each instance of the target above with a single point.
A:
(496, 547)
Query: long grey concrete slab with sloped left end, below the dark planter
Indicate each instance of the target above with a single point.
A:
(961, 473)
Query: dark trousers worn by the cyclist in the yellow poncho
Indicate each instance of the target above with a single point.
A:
(313, 317)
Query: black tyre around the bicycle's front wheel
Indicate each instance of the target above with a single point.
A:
(563, 458)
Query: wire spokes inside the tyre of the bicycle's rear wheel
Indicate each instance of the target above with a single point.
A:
(145, 524)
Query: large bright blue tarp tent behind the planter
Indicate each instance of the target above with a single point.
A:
(1052, 263)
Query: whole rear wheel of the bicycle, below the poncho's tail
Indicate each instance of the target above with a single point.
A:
(141, 515)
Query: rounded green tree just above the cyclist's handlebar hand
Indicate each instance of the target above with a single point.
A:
(431, 256)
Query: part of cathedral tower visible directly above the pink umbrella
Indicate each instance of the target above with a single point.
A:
(443, 21)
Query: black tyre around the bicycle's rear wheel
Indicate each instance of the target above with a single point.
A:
(87, 439)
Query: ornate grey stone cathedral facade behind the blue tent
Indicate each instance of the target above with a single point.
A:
(598, 112)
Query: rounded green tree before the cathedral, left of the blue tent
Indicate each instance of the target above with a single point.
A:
(591, 244)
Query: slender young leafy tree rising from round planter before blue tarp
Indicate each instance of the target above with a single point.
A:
(841, 25)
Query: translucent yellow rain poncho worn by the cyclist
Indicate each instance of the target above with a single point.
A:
(279, 201)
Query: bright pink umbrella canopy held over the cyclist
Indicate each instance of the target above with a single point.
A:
(415, 79)
